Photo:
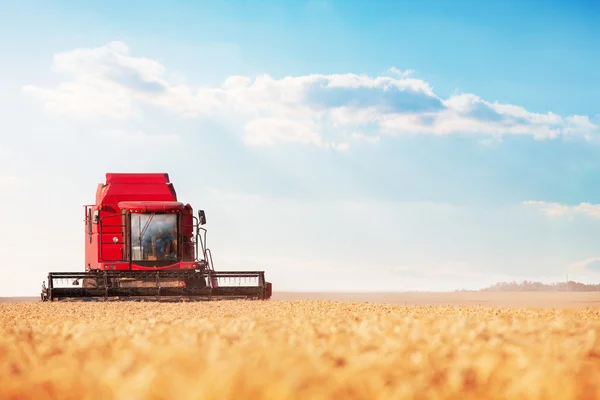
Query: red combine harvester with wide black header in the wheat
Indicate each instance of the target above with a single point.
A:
(141, 243)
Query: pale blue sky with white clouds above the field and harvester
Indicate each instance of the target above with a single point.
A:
(435, 145)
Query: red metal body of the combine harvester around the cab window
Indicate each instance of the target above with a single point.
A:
(106, 222)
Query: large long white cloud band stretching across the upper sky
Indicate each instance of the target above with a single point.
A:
(312, 109)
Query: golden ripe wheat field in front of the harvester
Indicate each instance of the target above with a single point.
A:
(292, 349)
